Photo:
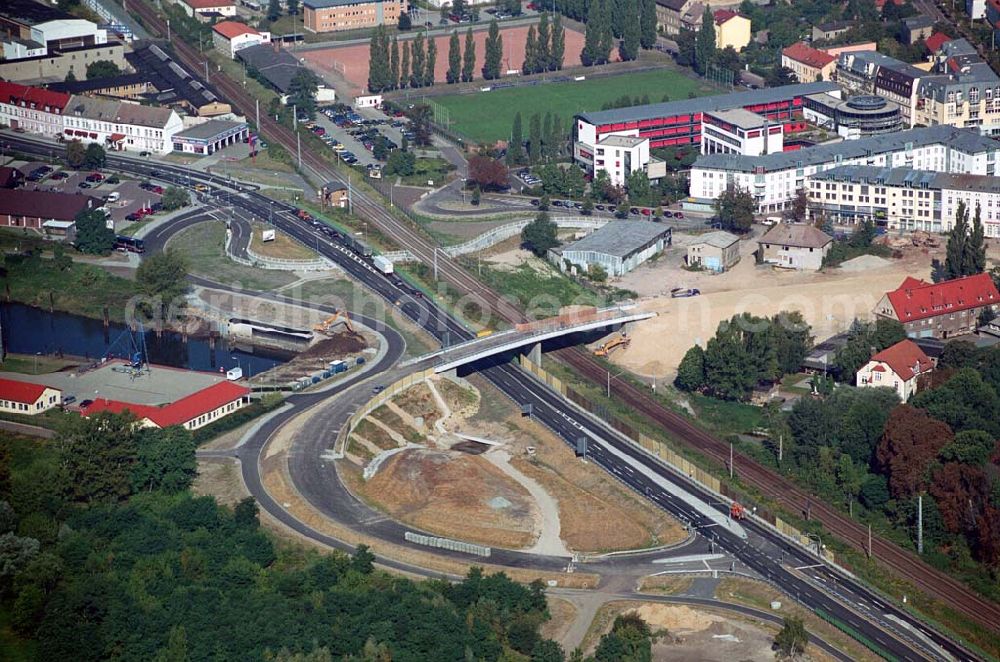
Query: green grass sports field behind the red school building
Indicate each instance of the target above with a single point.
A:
(487, 116)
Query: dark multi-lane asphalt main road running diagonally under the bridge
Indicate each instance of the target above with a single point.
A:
(764, 551)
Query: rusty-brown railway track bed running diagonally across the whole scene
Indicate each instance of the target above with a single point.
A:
(903, 563)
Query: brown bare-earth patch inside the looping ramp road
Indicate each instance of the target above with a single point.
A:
(454, 495)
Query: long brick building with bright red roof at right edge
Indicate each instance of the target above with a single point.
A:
(939, 310)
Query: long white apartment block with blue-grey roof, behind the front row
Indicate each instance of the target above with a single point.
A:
(774, 179)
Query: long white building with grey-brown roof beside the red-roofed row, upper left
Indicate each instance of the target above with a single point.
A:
(121, 125)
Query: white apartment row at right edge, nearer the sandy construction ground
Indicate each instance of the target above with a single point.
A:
(902, 198)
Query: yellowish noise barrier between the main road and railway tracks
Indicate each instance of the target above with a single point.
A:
(673, 459)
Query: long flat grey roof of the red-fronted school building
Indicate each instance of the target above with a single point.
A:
(718, 102)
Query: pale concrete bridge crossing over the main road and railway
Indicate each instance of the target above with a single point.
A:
(531, 335)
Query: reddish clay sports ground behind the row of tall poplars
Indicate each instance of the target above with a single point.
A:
(351, 62)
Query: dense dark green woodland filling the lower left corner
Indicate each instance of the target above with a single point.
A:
(105, 554)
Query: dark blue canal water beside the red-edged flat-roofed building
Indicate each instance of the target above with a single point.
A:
(28, 330)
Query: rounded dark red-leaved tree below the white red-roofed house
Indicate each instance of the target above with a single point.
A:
(911, 441)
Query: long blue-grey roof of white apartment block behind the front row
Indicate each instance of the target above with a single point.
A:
(964, 140)
